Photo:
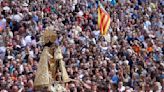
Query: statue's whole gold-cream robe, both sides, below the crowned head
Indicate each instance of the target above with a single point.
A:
(50, 60)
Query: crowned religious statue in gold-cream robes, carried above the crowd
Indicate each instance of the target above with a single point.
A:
(51, 68)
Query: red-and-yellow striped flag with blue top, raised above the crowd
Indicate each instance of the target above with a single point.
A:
(103, 20)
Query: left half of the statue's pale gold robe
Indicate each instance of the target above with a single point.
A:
(43, 77)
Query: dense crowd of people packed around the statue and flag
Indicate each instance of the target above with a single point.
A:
(130, 58)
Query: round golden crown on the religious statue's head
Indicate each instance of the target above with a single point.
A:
(48, 36)
